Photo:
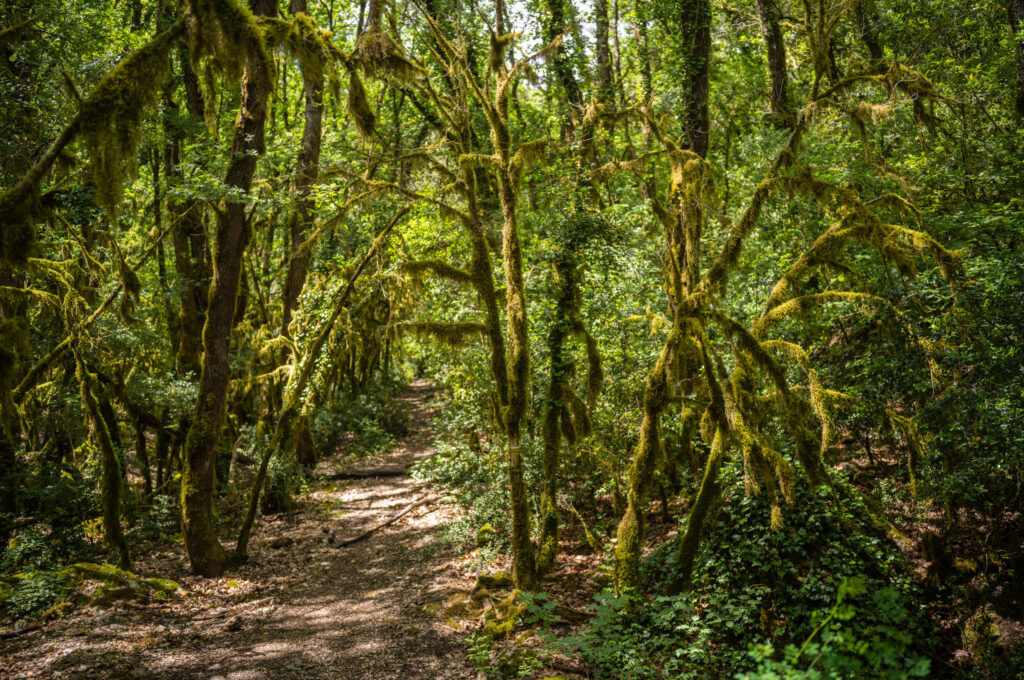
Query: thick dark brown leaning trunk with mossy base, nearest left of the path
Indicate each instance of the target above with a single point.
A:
(205, 552)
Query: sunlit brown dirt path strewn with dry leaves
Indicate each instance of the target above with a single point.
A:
(304, 607)
